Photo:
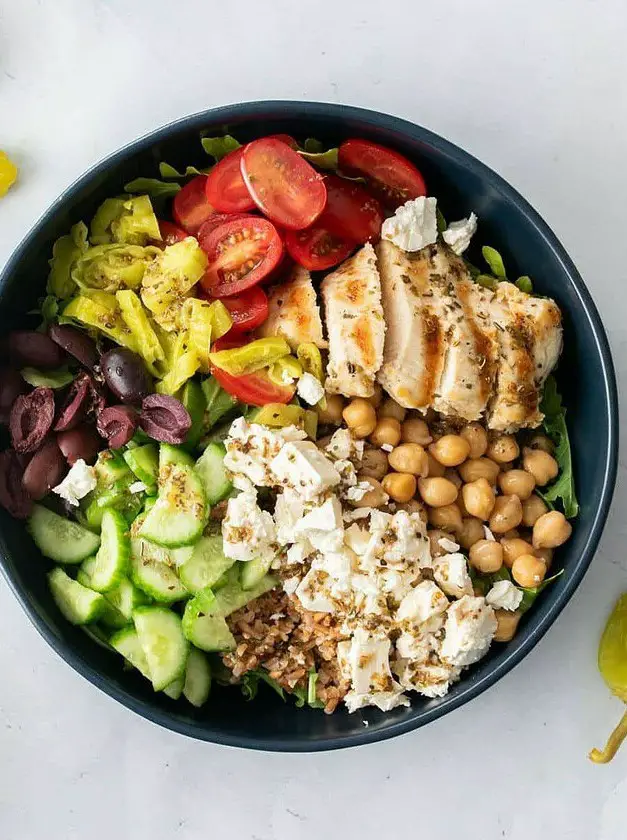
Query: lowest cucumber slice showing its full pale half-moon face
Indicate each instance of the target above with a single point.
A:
(163, 642)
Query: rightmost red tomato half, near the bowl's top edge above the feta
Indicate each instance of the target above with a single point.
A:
(390, 176)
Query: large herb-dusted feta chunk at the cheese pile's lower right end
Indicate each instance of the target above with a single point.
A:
(468, 631)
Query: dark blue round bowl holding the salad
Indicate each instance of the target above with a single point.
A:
(586, 377)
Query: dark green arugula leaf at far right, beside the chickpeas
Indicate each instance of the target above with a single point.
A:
(563, 488)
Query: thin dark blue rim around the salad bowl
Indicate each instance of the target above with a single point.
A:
(291, 108)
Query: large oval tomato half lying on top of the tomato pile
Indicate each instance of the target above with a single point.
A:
(284, 186)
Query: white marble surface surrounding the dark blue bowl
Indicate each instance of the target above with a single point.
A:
(536, 90)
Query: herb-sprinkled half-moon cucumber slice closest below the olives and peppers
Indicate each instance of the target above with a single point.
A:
(179, 514)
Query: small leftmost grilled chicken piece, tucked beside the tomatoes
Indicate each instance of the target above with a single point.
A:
(294, 313)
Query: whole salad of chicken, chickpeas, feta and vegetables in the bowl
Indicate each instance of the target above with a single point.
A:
(275, 427)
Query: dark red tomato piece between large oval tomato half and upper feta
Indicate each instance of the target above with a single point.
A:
(351, 212)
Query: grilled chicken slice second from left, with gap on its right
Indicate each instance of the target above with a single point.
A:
(355, 325)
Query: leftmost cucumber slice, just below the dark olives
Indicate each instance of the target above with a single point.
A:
(61, 539)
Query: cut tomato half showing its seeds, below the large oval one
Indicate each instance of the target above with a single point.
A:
(241, 253)
